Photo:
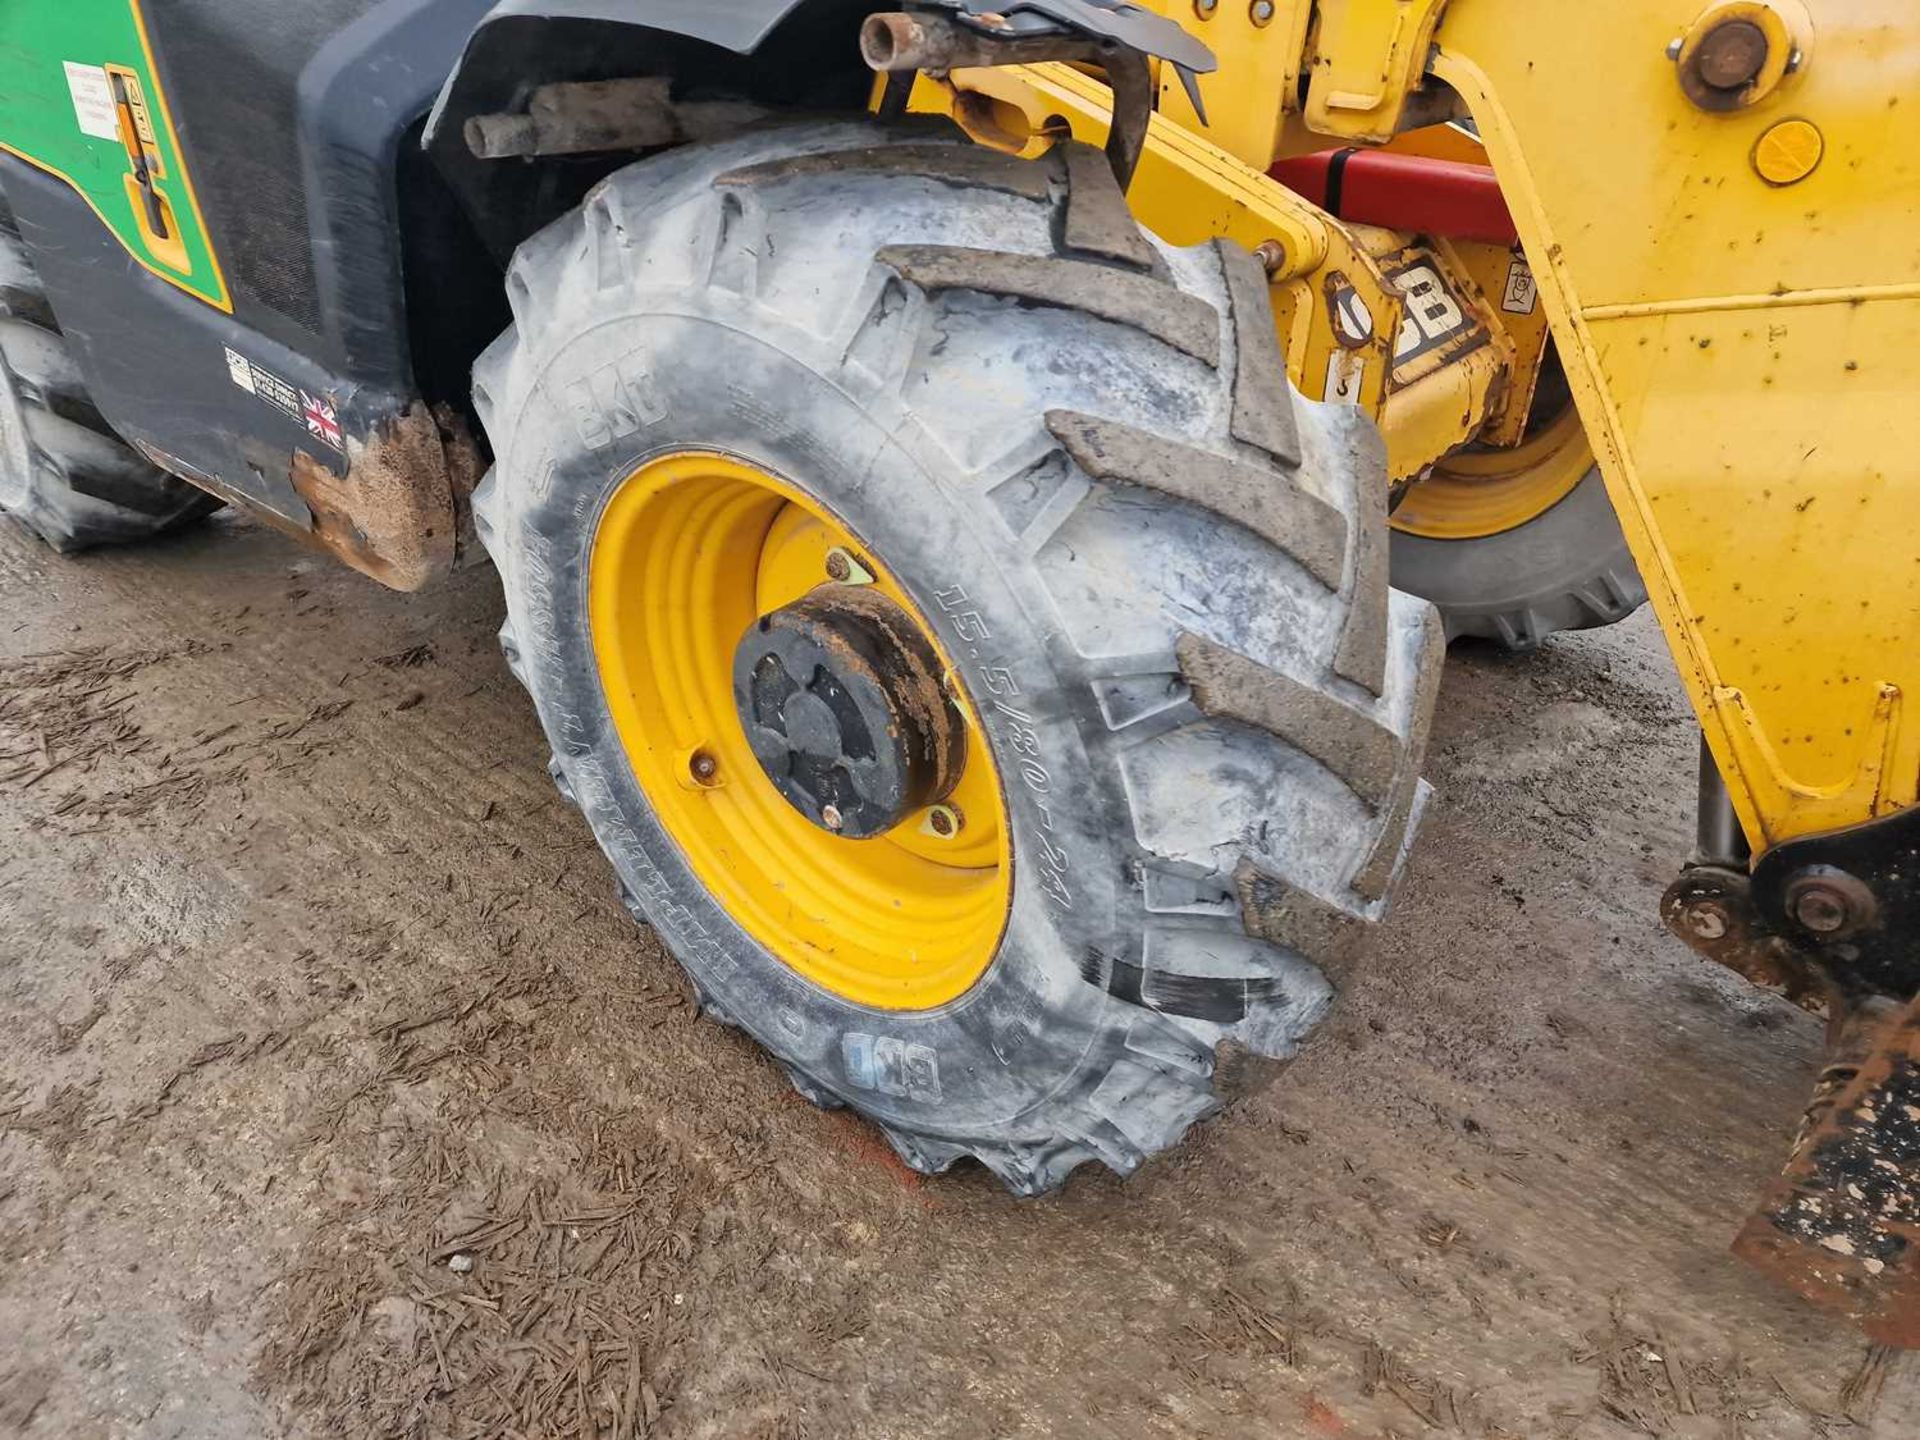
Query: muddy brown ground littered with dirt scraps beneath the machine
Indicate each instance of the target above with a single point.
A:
(312, 984)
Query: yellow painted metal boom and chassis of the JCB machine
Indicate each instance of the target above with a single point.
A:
(1733, 287)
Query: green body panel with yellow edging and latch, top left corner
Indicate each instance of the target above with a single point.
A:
(43, 126)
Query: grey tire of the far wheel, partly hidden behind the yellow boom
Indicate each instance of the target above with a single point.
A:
(1568, 569)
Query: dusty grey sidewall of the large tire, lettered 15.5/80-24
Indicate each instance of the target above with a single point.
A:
(1032, 1024)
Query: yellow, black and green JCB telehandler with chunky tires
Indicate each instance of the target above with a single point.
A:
(984, 487)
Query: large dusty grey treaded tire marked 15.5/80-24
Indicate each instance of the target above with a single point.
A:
(1161, 575)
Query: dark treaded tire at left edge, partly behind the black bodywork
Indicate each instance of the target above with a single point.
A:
(62, 469)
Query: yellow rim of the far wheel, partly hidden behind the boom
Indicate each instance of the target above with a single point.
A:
(1487, 492)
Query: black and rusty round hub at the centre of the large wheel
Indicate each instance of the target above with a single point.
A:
(842, 702)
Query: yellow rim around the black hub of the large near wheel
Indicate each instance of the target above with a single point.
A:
(690, 552)
